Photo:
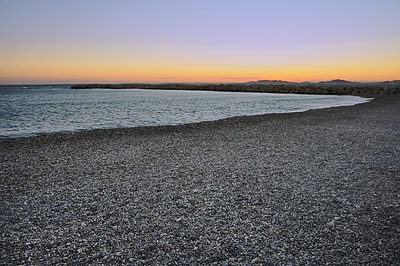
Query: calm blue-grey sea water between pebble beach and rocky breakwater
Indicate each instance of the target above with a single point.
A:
(33, 110)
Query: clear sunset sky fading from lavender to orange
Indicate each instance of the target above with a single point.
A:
(118, 41)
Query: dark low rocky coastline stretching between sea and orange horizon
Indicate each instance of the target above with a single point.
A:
(333, 87)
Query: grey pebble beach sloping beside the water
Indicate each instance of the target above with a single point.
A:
(313, 188)
